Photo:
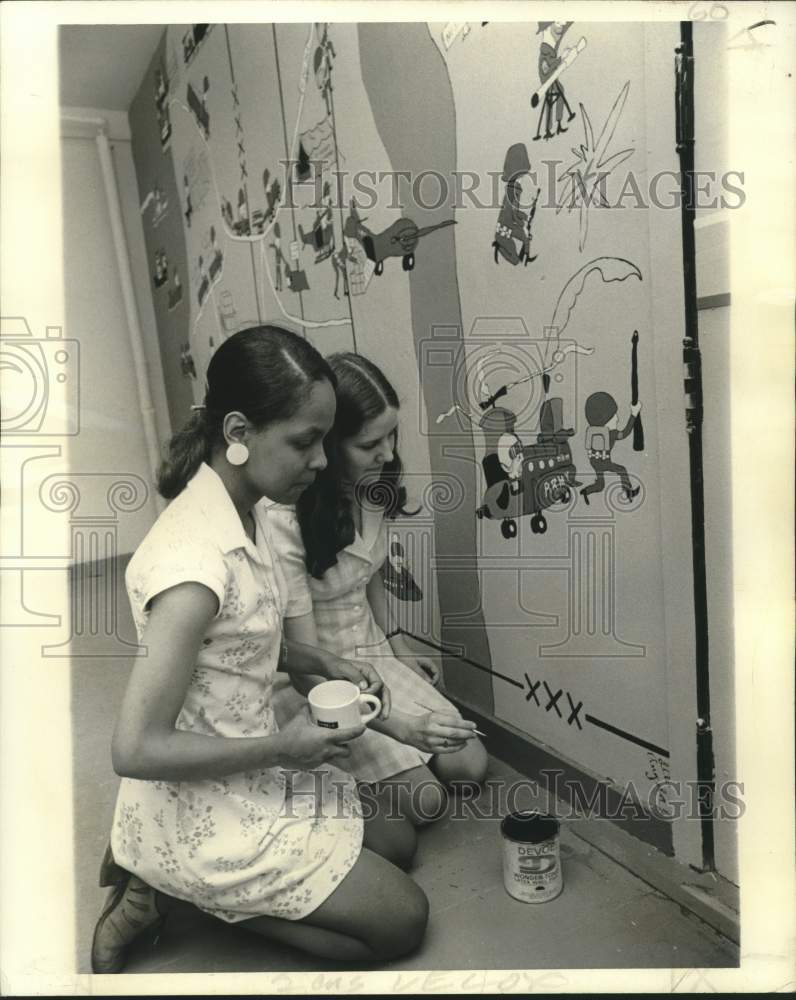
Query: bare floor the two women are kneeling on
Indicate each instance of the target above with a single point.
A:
(605, 918)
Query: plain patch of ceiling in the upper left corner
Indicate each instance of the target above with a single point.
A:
(102, 65)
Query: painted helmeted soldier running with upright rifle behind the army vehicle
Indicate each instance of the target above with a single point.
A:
(602, 416)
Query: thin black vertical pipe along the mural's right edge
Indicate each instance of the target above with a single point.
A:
(692, 361)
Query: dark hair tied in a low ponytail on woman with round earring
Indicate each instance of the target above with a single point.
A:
(265, 373)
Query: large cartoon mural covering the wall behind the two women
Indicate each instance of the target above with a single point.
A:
(251, 225)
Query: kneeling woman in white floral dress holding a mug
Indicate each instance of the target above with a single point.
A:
(219, 807)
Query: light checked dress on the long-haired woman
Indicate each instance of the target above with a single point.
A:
(346, 626)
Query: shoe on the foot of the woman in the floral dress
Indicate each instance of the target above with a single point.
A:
(131, 910)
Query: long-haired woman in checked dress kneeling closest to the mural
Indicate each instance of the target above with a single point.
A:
(332, 547)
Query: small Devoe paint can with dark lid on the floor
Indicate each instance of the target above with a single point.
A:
(531, 856)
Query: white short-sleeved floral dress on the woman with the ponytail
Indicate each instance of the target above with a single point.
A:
(260, 842)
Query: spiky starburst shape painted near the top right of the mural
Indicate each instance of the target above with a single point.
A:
(583, 181)
